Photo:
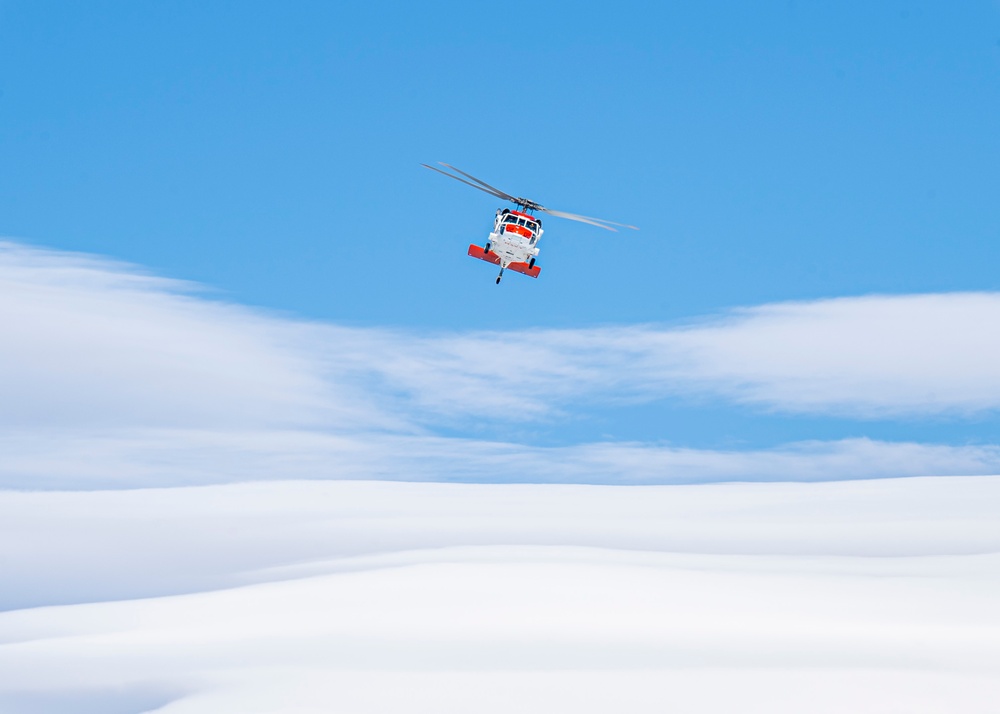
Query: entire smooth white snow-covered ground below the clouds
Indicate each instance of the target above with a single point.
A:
(863, 596)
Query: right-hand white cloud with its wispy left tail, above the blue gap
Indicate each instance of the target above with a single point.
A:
(872, 356)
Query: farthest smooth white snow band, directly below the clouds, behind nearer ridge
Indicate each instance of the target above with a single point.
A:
(66, 547)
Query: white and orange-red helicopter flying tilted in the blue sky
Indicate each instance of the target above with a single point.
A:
(513, 243)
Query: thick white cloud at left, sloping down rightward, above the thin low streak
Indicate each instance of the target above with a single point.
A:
(89, 342)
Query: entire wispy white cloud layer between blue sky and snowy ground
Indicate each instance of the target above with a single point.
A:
(111, 377)
